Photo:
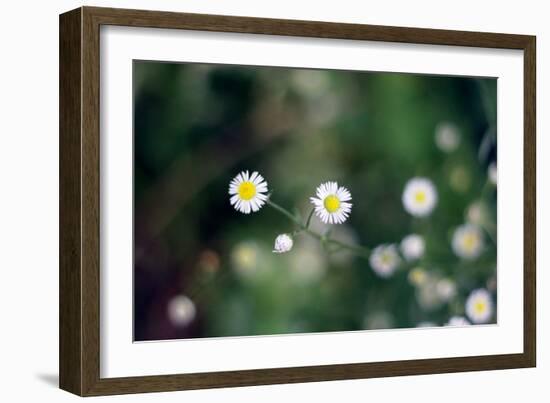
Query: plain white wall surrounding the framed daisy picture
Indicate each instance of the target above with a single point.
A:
(29, 199)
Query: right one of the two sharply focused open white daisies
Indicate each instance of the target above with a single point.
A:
(332, 203)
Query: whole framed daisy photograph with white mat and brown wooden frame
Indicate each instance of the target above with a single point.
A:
(249, 201)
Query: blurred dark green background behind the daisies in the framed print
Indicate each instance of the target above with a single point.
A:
(202, 269)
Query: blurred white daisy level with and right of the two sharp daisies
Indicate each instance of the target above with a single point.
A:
(419, 197)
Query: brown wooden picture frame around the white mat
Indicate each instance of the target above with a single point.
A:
(79, 348)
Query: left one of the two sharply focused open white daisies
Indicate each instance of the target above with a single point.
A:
(248, 192)
